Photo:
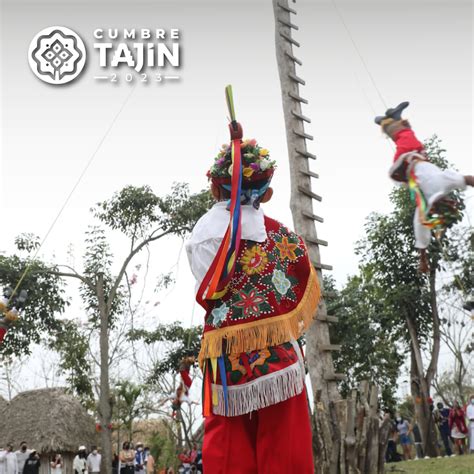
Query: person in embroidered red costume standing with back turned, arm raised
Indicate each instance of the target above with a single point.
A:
(260, 293)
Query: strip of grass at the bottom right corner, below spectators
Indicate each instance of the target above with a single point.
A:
(456, 465)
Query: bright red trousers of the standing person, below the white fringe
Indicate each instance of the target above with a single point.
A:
(276, 439)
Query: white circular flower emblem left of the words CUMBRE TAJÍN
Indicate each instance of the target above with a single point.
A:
(57, 55)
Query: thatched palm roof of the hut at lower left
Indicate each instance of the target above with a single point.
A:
(49, 420)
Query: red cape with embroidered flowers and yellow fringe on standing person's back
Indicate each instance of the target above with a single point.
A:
(272, 297)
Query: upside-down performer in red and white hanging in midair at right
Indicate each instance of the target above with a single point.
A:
(429, 185)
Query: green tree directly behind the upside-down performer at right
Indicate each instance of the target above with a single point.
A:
(409, 300)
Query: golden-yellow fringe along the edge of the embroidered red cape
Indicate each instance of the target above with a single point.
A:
(266, 332)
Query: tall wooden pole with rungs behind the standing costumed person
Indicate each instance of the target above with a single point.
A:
(319, 348)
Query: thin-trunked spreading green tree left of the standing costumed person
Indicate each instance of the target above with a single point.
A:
(143, 218)
